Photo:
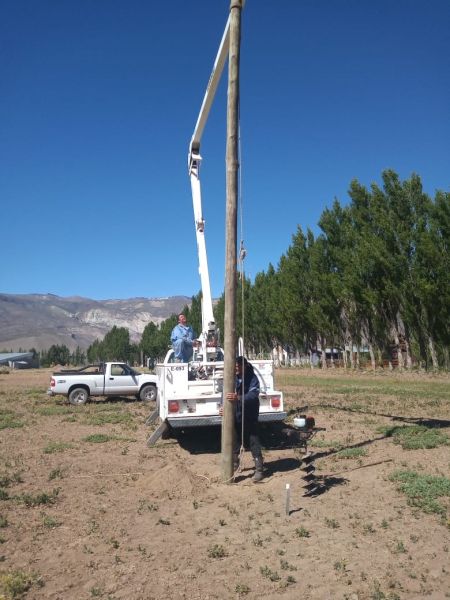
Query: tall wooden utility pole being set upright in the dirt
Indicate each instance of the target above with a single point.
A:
(232, 167)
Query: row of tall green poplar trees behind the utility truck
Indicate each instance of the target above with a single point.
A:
(375, 279)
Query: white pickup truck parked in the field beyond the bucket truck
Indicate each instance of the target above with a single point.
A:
(104, 379)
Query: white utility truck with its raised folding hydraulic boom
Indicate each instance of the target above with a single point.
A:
(190, 394)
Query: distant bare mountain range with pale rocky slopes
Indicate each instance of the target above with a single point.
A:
(41, 320)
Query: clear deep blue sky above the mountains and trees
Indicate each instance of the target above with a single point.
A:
(99, 99)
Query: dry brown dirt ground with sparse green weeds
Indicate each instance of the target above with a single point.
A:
(87, 510)
